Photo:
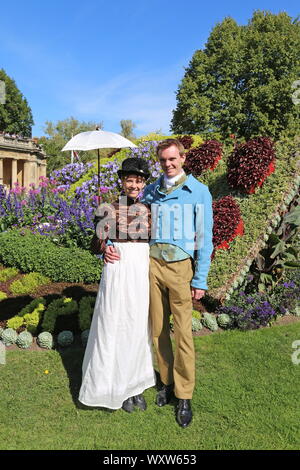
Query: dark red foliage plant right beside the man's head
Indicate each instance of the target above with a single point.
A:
(203, 157)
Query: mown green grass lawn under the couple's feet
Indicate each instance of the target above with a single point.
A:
(247, 397)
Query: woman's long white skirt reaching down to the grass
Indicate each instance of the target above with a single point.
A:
(118, 361)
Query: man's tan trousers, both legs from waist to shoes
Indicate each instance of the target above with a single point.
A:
(170, 293)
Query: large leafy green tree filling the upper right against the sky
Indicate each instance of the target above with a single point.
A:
(241, 82)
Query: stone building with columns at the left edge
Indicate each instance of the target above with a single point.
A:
(21, 160)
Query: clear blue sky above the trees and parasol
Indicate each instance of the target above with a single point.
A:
(110, 60)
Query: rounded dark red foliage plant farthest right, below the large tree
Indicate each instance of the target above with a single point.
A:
(250, 163)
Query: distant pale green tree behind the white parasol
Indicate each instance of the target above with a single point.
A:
(58, 135)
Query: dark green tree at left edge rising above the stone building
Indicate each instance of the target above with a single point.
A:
(15, 113)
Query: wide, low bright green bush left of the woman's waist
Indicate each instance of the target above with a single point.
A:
(29, 252)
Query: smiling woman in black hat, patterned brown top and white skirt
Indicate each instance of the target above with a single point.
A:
(117, 365)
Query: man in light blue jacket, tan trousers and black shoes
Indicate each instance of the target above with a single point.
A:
(180, 251)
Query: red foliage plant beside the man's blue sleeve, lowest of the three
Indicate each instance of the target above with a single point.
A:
(227, 222)
